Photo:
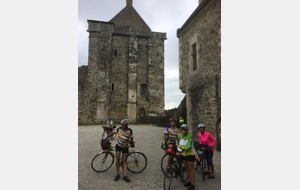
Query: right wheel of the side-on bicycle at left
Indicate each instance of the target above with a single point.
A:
(136, 162)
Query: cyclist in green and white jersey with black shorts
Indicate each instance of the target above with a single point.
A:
(188, 152)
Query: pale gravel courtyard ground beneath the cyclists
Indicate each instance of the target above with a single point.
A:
(148, 139)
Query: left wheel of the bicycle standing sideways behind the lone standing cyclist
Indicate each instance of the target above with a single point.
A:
(102, 162)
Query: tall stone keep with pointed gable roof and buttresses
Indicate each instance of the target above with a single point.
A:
(125, 73)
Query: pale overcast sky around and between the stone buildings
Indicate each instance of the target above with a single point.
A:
(160, 15)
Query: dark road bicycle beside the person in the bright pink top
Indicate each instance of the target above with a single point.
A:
(200, 158)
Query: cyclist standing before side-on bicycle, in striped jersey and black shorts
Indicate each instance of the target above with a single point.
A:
(125, 136)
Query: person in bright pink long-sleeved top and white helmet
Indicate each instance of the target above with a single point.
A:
(207, 138)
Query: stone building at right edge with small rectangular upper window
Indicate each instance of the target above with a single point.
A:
(200, 67)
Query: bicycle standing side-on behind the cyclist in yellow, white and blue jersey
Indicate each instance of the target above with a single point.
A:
(136, 160)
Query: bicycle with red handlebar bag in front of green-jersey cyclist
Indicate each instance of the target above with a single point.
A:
(174, 167)
